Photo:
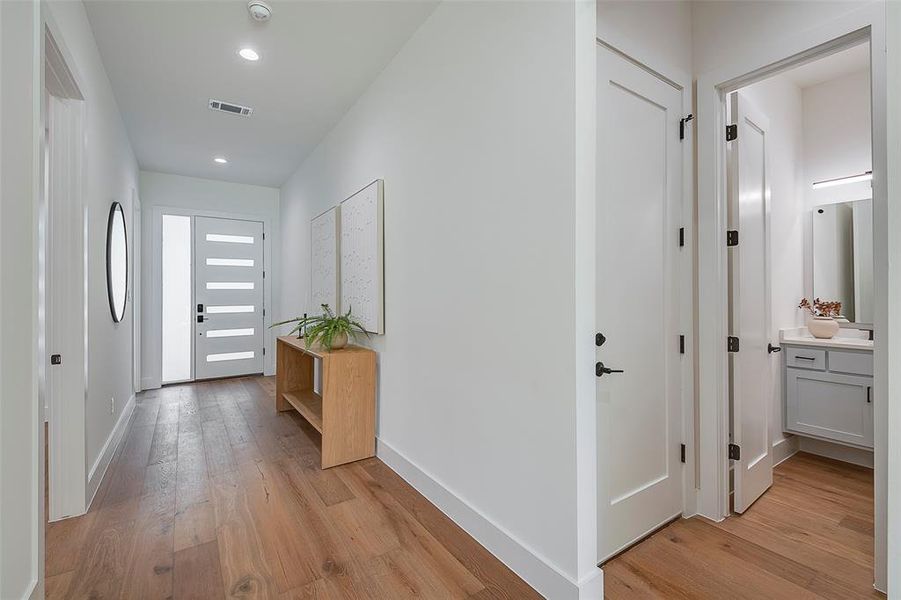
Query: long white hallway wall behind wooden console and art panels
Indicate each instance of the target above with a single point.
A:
(472, 128)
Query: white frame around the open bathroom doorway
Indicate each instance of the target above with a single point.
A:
(865, 23)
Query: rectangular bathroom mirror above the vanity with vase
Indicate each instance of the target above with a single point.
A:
(843, 257)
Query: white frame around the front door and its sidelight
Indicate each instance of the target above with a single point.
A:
(153, 309)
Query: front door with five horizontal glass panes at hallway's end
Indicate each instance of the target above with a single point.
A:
(228, 292)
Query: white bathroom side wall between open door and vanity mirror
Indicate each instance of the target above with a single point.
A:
(780, 99)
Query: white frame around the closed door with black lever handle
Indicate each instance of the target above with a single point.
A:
(682, 82)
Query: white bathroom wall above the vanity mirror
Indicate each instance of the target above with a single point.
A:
(837, 140)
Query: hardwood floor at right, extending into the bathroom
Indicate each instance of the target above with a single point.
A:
(809, 536)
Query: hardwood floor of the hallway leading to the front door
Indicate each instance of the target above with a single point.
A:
(214, 495)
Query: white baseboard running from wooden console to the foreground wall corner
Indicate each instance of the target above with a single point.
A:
(536, 570)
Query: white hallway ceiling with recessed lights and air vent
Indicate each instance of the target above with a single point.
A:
(167, 59)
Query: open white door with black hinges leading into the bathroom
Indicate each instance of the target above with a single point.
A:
(750, 367)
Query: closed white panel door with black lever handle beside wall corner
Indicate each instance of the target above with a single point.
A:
(638, 218)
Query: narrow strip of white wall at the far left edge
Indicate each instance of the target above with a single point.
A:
(21, 531)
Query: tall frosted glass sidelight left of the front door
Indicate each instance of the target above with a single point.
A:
(177, 325)
